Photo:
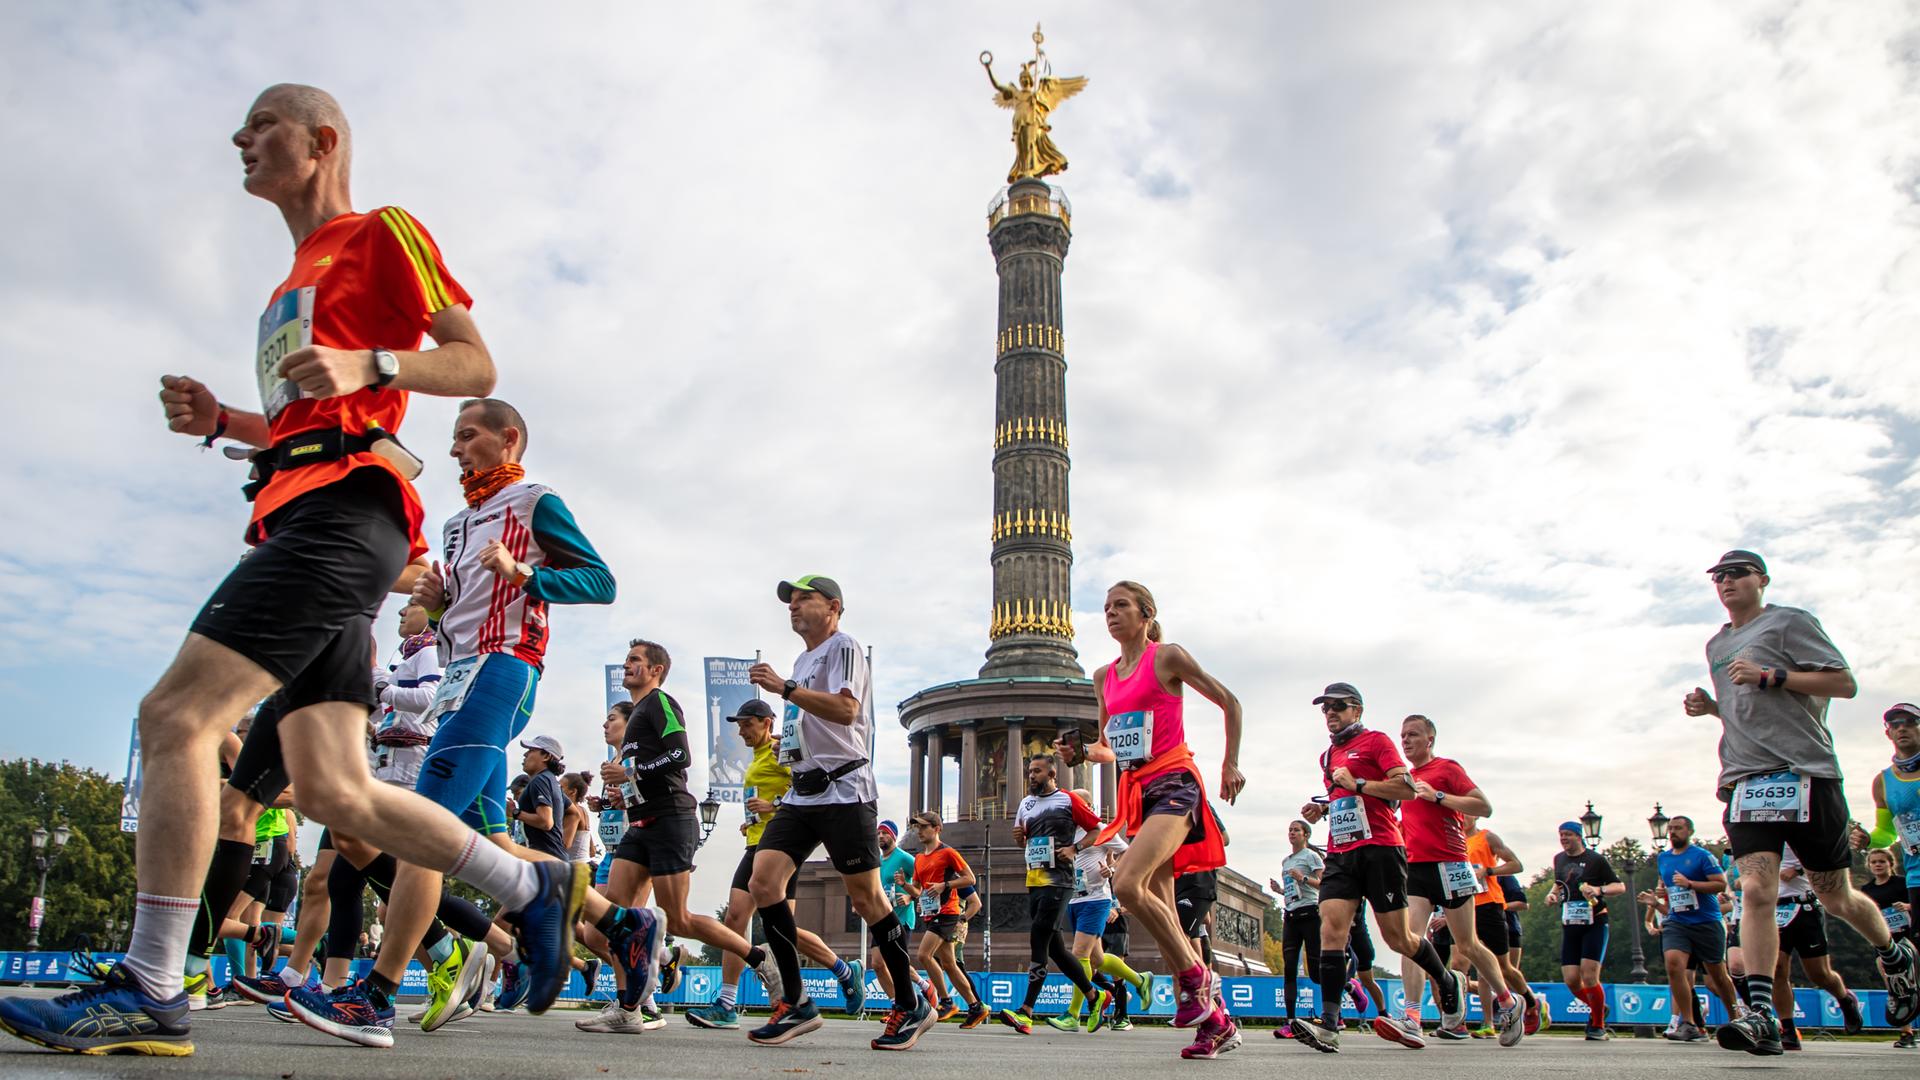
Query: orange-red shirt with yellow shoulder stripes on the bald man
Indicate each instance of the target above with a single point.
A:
(377, 282)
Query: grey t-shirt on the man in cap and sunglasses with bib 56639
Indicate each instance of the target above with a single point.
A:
(1765, 731)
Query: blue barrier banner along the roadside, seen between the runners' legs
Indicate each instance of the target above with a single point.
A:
(1247, 996)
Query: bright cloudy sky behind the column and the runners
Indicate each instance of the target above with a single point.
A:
(1435, 349)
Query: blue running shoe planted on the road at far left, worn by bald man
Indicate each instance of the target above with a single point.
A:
(114, 1018)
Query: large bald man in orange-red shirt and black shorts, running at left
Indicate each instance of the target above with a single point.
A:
(335, 524)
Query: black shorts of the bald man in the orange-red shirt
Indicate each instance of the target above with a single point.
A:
(302, 602)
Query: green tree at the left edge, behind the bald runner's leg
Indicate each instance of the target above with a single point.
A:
(91, 885)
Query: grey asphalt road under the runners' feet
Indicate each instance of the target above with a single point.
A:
(247, 1043)
